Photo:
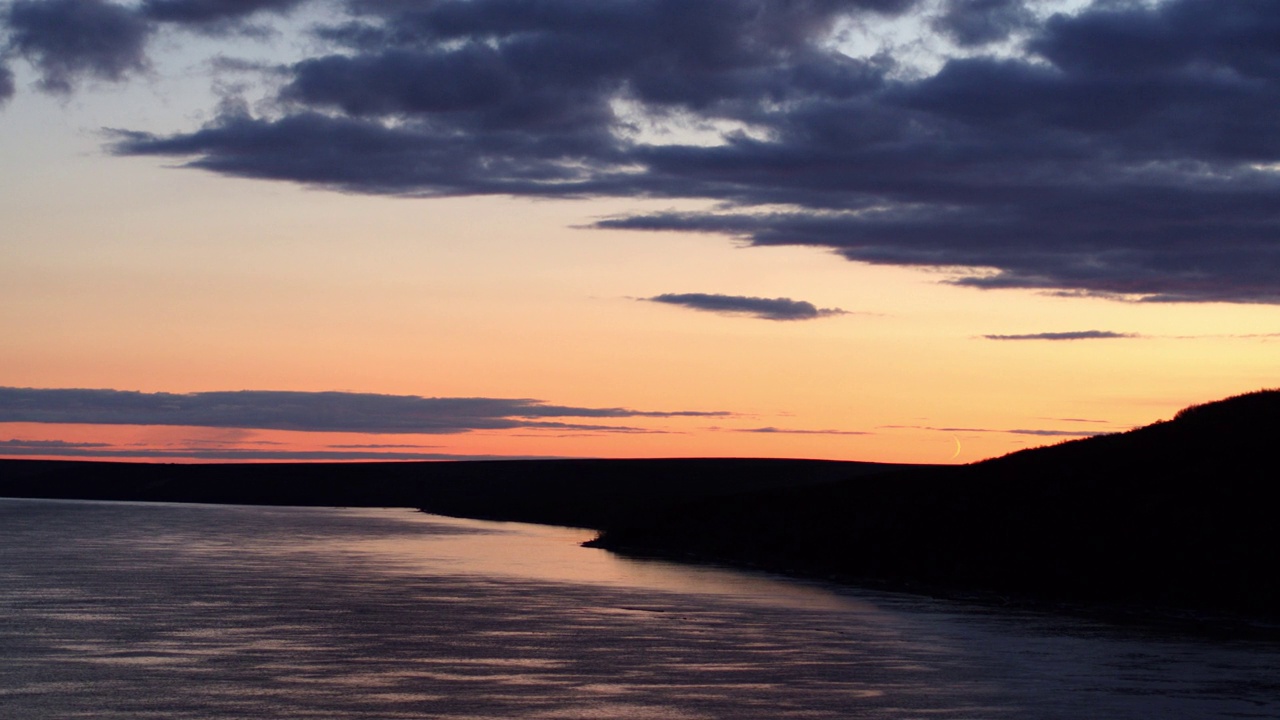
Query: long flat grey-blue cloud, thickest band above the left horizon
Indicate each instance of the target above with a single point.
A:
(307, 412)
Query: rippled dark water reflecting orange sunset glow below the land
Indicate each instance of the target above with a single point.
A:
(122, 610)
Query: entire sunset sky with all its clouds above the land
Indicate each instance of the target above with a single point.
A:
(903, 231)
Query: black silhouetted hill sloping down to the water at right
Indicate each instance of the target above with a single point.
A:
(1178, 514)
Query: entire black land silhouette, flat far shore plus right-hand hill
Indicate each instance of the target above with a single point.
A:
(1172, 518)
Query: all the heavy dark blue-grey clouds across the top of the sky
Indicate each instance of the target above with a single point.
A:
(1127, 151)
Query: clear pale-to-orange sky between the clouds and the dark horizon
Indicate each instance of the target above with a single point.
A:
(127, 275)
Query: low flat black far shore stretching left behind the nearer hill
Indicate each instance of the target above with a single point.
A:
(584, 494)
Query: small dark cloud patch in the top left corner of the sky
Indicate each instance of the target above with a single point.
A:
(70, 40)
